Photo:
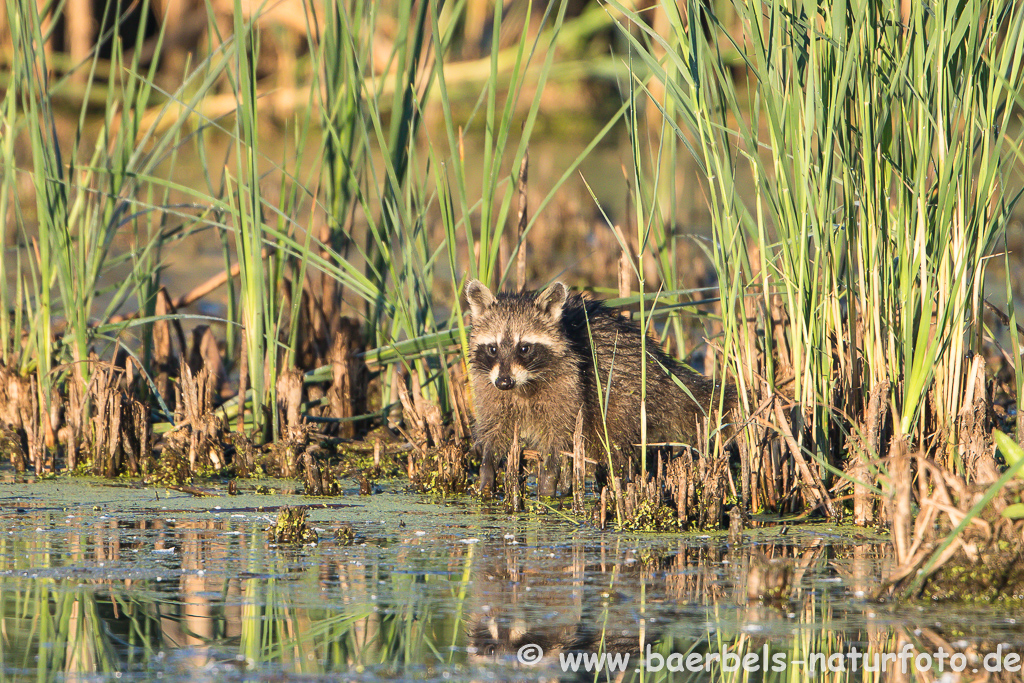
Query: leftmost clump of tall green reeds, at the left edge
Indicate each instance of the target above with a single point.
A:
(84, 201)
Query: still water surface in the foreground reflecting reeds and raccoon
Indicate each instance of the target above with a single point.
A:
(458, 597)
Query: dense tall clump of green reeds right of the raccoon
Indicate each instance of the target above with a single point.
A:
(880, 143)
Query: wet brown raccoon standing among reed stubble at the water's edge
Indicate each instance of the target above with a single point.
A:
(533, 363)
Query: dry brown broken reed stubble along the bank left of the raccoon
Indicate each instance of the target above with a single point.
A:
(104, 414)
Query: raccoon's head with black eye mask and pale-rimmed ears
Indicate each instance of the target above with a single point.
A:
(516, 336)
